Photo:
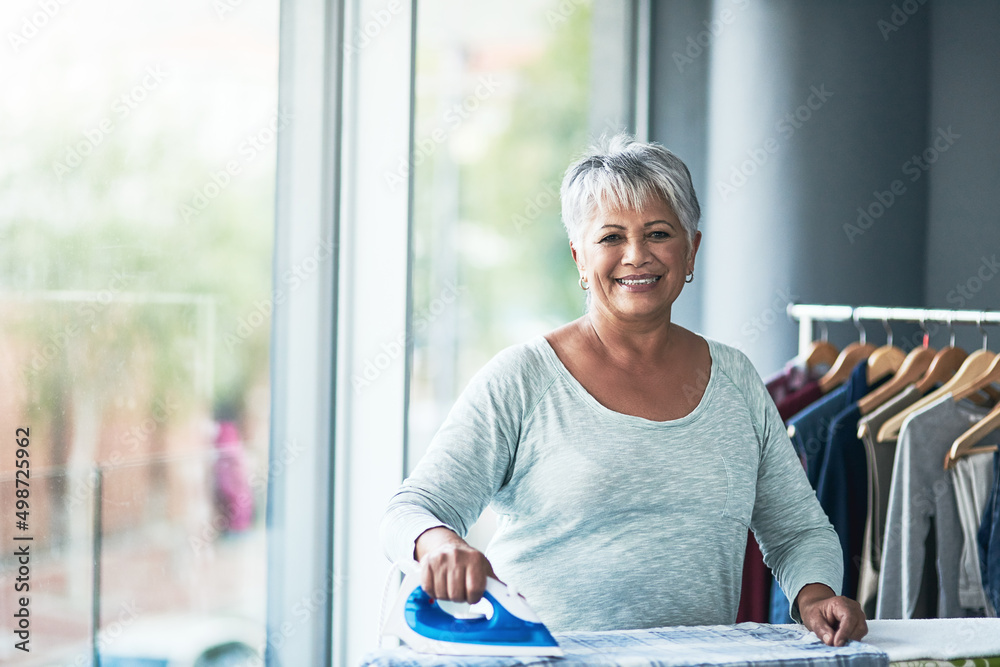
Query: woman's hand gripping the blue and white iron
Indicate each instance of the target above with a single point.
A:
(450, 569)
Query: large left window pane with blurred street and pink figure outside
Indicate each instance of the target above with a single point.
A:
(136, 225)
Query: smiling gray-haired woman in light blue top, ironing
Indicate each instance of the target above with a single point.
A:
(624, 455)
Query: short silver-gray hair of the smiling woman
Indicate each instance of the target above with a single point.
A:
(620, 173)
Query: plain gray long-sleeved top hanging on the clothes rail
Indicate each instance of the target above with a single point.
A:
(922, 498)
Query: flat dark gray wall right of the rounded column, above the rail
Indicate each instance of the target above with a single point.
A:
(963, 243)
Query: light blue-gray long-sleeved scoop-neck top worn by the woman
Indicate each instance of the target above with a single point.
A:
(610, 521)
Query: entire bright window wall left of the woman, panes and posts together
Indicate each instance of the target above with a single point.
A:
(173, 386)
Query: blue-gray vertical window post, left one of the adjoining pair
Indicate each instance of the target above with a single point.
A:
(303, 343)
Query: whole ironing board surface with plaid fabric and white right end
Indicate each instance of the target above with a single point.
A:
(952, 642)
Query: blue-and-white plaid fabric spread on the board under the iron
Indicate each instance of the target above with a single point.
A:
(745, 644)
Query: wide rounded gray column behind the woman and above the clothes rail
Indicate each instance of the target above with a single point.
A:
(812, 115)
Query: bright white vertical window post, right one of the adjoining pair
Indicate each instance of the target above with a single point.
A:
(374, 275)
